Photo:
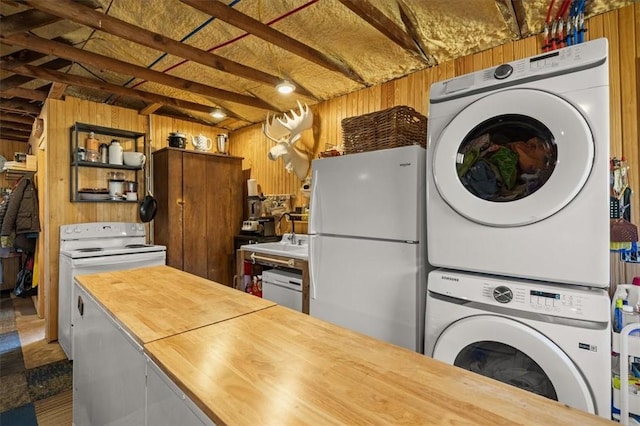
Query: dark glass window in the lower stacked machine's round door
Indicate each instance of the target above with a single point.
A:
(506, 364)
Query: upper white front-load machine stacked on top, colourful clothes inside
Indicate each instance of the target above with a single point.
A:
(518, 168)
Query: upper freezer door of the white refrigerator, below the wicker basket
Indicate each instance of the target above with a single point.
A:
(378, 194)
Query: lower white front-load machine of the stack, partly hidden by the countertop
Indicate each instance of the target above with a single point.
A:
(554, 340)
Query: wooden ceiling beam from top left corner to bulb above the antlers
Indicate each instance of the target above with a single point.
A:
(101, 22)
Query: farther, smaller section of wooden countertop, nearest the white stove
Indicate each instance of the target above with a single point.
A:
(156, 302)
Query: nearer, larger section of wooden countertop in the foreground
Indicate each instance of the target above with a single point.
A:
(276, 366)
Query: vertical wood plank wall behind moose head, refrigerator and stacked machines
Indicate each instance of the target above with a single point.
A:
(621, 27)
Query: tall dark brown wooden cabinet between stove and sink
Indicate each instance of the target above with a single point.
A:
(199, 199)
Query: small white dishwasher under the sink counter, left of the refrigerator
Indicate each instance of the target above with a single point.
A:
(283, 287)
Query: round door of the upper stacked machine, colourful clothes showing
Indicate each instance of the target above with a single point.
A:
(536, 151)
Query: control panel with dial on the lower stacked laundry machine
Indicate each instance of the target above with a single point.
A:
(524, 295)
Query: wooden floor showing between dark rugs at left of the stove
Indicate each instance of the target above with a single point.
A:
(36, 352)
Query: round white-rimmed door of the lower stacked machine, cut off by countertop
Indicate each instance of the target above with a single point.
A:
(481, 336)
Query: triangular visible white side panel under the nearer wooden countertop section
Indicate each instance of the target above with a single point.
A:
(167, 405)
